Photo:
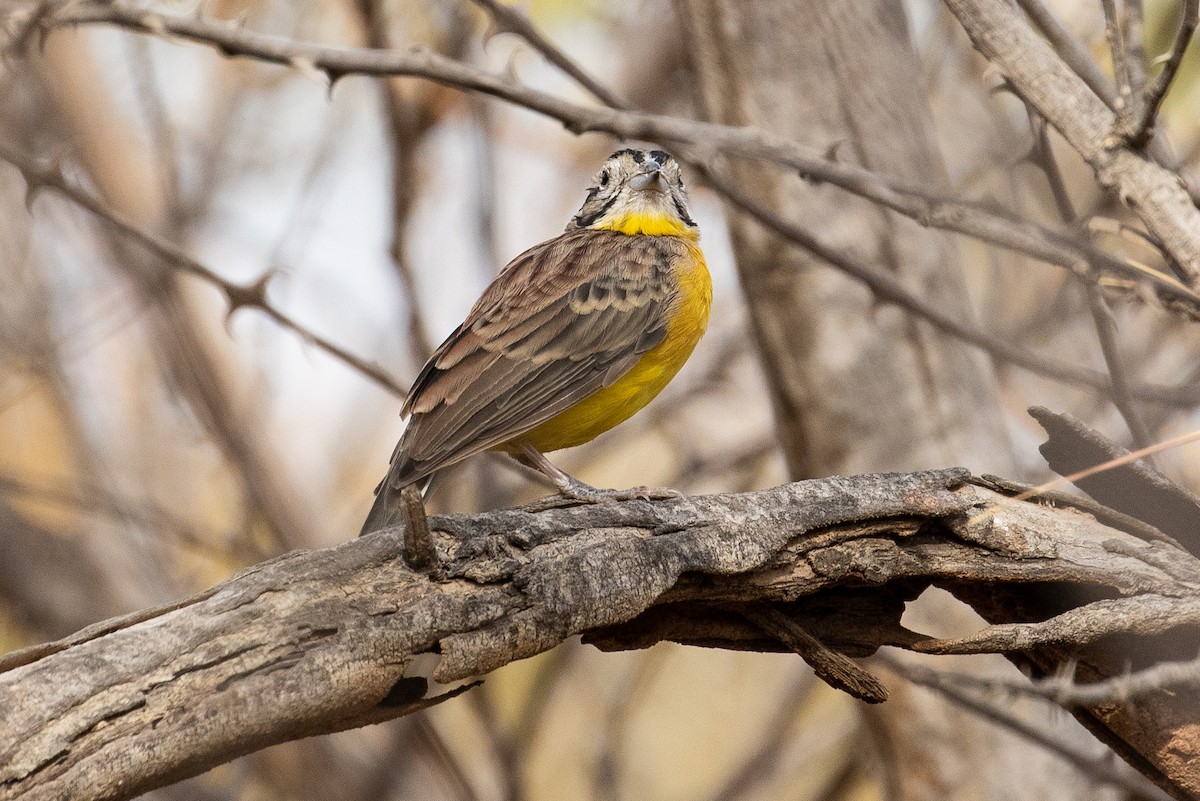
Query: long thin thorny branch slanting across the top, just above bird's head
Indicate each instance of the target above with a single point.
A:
(1063, 249)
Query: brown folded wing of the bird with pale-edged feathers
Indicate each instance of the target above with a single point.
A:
(563, 321)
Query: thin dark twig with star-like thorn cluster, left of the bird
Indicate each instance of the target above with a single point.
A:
(39, 177)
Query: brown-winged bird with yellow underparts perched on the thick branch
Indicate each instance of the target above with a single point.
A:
(572, 339)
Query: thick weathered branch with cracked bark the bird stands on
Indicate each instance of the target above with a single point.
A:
(323, 641)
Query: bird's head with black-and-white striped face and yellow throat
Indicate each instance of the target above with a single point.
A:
(638, 192)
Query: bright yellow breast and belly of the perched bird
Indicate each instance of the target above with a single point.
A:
(614, 405)
